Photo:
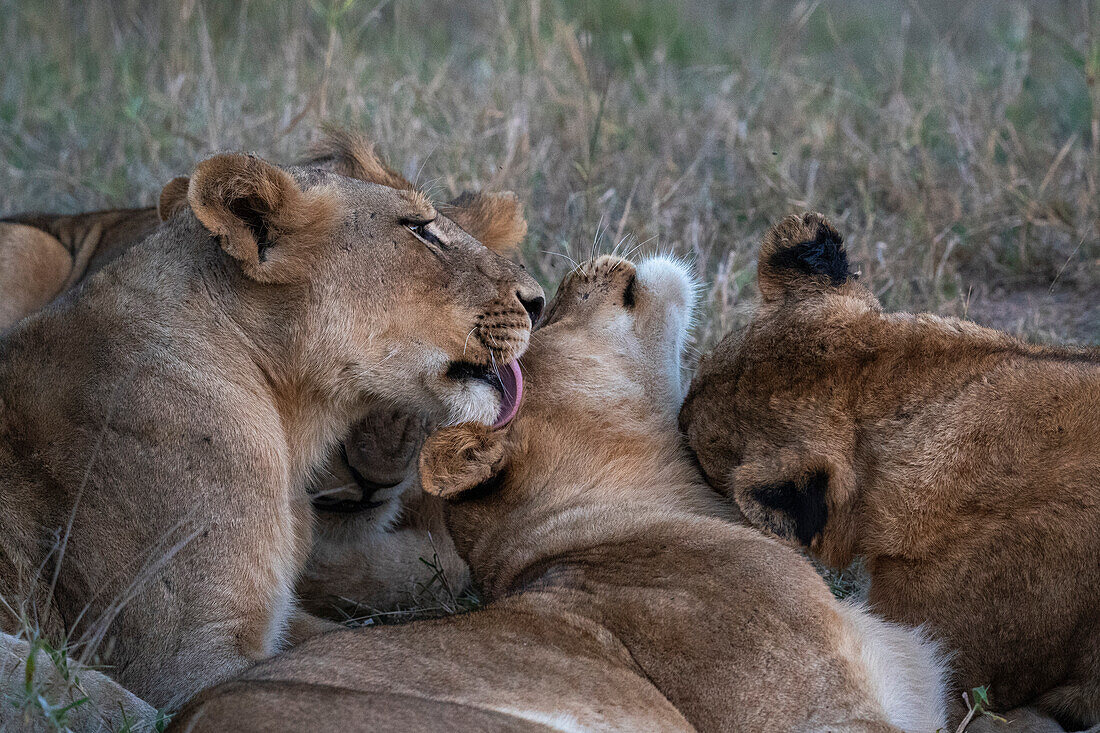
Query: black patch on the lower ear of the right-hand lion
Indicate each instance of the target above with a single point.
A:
(795, 510)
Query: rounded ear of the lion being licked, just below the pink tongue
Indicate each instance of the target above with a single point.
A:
(459, 458)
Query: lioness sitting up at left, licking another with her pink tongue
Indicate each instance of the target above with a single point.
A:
(158, 428)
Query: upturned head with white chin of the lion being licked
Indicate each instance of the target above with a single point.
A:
(597, 431)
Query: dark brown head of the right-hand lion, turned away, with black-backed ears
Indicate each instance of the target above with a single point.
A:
(769, 413)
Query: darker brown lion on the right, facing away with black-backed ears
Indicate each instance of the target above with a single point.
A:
(961, 463)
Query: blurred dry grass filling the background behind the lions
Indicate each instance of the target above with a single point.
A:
(955, 145)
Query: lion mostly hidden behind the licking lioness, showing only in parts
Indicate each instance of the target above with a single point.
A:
(391, 550)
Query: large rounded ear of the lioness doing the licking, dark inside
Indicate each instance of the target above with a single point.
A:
(261, 215)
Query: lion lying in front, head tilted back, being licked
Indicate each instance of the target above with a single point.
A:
(619, 598)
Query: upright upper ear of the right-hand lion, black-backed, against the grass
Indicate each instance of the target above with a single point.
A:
(802, 255)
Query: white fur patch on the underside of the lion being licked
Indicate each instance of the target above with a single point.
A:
(907, 673)
